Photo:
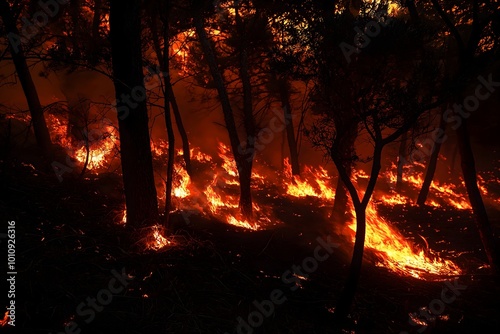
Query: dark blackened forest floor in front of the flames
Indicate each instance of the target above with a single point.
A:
(70, 247)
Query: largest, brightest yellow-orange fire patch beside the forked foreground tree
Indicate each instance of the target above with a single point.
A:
(396, 253)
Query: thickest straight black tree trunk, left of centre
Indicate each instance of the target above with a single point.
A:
(135, 146)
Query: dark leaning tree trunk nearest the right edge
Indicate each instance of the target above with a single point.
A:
(470, 178)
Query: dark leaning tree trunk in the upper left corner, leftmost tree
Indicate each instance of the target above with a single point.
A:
(39, 125)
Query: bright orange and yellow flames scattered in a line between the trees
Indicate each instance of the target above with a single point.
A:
(220, 197)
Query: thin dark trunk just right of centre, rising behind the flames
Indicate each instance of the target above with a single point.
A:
(290, 131)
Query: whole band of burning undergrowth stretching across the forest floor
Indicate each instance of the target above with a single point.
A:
(214, 193)
